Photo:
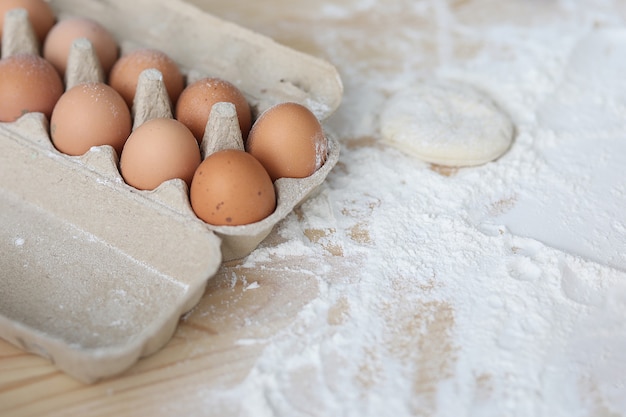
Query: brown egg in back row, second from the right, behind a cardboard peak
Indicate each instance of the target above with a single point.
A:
(195, 103)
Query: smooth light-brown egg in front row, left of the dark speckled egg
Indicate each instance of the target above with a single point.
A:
(159, 150)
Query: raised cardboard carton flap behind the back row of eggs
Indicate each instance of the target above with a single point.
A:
(267, 72)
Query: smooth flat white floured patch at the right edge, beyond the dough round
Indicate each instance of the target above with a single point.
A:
(580, 135)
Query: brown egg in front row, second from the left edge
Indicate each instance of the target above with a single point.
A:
(90, 114)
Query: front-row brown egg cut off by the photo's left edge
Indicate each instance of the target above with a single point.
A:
(28, 83)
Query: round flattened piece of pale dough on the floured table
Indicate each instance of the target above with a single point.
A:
(446, 123)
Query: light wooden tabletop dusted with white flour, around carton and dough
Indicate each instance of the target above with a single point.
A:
(404, 289)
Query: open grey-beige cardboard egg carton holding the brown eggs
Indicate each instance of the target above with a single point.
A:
(95, 273)
